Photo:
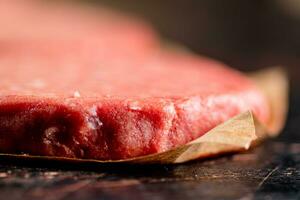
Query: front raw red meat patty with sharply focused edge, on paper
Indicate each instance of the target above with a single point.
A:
(58, 100)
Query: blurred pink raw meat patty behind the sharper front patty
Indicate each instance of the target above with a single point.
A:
(73, 27)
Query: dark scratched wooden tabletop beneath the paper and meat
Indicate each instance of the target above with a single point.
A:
(271, 171)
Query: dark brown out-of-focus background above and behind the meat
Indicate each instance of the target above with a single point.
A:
(245, 34)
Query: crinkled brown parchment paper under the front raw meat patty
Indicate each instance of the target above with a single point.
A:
(237, 134)
